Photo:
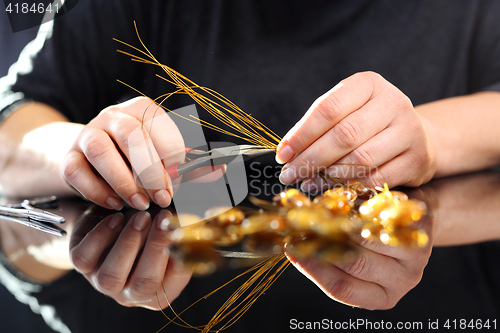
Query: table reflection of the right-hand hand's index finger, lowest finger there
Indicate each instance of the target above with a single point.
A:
(342, 287)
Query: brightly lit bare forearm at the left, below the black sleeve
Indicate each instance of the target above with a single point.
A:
(33, 142)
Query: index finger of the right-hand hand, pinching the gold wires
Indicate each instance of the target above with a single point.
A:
(346, 97)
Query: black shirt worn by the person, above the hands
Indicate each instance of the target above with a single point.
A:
(271, 58)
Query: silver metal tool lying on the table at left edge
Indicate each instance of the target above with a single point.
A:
(28, 213)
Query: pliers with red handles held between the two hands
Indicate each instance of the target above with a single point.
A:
(216, 156)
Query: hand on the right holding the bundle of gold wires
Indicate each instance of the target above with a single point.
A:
(364, 120)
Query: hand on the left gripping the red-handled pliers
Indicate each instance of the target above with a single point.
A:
(97, 165)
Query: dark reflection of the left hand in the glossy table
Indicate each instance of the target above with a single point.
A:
(130, 262)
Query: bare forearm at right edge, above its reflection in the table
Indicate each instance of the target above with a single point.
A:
(464, 132)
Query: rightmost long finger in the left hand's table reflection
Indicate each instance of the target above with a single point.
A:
(147, 277)
